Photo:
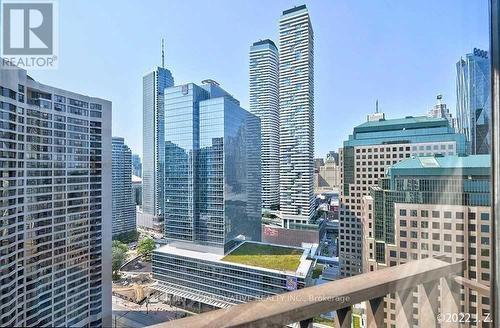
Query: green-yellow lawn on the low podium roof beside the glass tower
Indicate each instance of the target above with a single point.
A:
(266, 256)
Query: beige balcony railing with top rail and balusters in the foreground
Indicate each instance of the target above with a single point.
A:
(439, 284)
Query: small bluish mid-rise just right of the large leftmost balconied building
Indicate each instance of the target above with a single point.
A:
(123, 209)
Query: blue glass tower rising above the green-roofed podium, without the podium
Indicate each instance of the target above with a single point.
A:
(212, 167)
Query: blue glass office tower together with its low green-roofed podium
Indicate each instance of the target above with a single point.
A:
(213, 205)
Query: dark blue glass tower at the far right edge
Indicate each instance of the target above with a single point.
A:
(474, 101)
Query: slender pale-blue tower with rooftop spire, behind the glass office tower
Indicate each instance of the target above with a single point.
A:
(153, 143)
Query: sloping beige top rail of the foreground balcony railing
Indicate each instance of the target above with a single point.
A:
(339, 295)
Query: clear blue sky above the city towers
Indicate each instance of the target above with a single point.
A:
(400, 52)
